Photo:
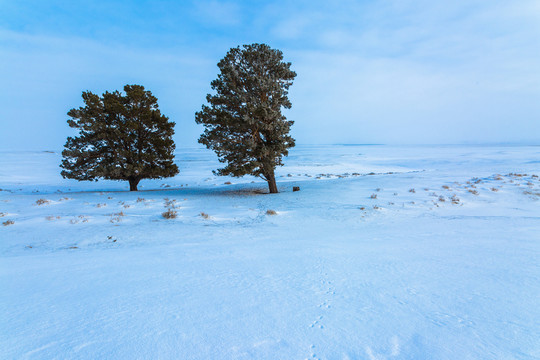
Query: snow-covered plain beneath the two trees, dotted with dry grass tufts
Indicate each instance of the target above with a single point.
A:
(385, 253)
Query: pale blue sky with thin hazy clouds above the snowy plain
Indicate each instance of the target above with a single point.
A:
(385, 71)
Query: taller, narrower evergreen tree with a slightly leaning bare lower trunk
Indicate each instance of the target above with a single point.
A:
(243, 121)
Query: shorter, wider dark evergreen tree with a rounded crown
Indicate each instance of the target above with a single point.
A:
(121, 137)
